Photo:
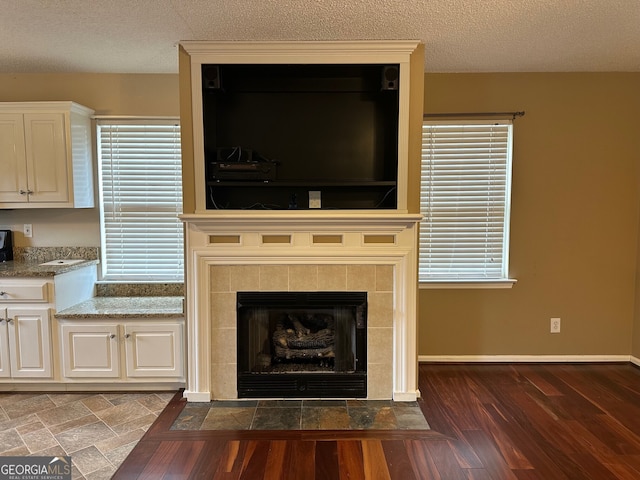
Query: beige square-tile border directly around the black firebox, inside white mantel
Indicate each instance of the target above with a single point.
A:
(376, 280)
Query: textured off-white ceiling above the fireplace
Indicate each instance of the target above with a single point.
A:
(141, 36)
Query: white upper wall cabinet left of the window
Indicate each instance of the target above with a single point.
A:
(45, 155)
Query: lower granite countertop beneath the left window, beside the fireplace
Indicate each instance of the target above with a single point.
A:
(125, 307)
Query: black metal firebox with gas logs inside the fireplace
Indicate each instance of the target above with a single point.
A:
(302, 344)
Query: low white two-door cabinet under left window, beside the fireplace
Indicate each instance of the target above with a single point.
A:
(128, 351)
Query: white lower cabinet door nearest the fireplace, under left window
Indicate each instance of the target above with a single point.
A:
(154, 350)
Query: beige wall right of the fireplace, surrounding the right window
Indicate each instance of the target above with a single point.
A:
(574, 228)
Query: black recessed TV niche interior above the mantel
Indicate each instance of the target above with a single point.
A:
(274, 133)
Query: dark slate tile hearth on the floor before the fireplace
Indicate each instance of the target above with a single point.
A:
(301, 415)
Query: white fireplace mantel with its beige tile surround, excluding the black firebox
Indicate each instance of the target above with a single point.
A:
(289, 251)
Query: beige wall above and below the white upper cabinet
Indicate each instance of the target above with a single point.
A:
(154, 95)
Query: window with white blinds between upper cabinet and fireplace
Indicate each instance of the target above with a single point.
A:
(140, 198)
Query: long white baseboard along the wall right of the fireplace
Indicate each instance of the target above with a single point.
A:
(526, 358)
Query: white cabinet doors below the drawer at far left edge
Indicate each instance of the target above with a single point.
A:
(25, 342)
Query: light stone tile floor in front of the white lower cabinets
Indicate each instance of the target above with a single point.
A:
(98, 431)
